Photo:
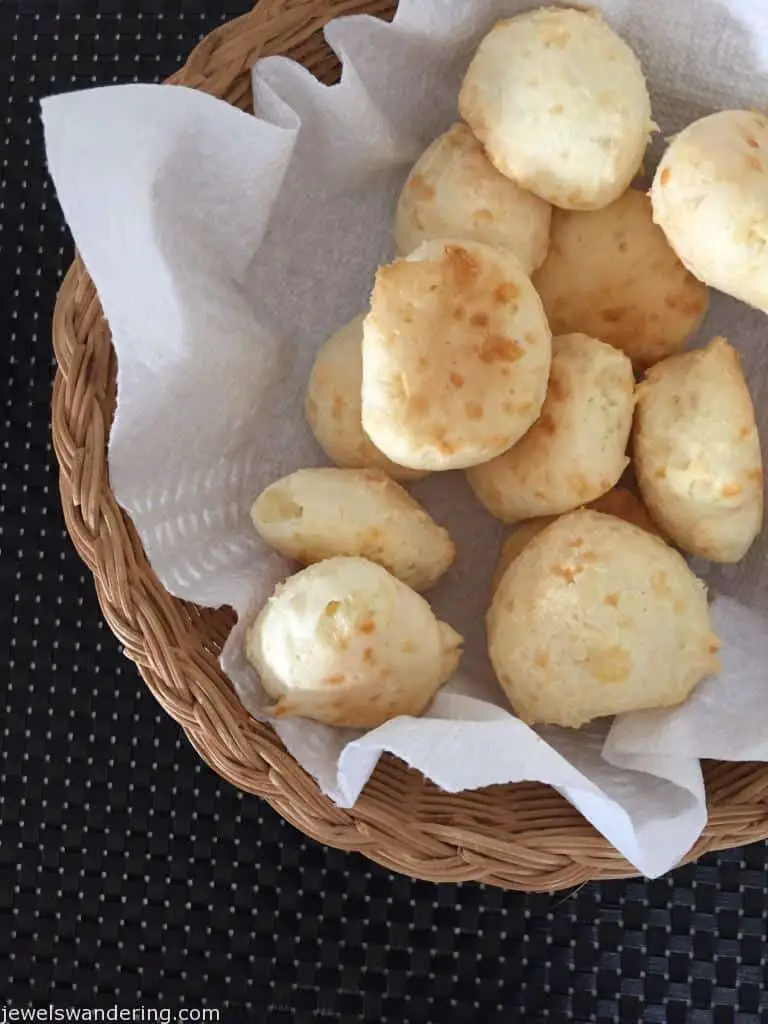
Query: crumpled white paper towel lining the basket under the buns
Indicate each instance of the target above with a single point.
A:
(226, 247)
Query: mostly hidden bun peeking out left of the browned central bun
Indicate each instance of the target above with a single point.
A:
(333, 405)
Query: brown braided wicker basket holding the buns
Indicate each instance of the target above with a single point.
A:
(524, 837)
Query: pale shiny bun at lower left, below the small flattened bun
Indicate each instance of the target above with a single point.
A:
(347, 644)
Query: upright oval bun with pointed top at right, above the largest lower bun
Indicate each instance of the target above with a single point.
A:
(698, 453)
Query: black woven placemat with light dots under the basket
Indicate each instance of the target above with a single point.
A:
(130, 874)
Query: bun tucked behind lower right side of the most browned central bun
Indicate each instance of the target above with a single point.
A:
(577, 450)
